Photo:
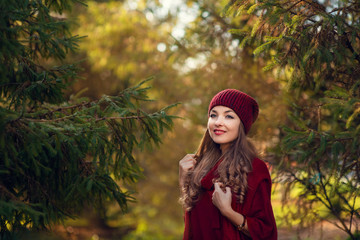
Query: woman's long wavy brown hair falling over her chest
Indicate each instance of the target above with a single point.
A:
(233, 170)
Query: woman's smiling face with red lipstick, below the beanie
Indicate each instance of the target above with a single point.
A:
(223, 126)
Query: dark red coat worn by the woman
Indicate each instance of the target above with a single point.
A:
(205, 222)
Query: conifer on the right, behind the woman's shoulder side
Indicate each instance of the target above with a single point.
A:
(315, 47)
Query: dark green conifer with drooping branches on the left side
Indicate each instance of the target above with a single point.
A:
(57, 154)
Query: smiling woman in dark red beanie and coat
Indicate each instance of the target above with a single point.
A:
(225, 188)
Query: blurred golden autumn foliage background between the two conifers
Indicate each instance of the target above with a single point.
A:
(188, 49)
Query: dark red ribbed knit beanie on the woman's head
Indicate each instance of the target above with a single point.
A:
(242, 104)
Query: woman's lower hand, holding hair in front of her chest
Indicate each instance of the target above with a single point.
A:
(222, 198)
